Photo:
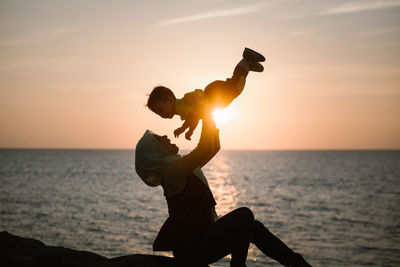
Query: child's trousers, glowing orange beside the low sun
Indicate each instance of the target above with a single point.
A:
(221, 93)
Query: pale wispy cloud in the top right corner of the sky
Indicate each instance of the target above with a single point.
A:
(359, 6)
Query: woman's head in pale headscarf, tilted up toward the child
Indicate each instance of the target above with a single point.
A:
(153, 152)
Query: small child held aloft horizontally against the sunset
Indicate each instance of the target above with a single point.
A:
(217, 94)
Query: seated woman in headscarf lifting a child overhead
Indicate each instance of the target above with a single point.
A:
(193, 231)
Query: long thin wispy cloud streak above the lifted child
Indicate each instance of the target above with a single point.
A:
(212, 14)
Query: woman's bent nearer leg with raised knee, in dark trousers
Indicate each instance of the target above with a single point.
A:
(231, 234)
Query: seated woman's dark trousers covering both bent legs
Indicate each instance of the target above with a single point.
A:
(232, 234)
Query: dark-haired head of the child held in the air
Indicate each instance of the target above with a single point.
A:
(162, 102)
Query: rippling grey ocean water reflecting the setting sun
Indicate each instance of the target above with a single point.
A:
(337, 208)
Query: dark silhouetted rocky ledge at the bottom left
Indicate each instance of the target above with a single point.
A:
(18, 251)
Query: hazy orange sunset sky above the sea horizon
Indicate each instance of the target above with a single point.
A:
(76, 74)
